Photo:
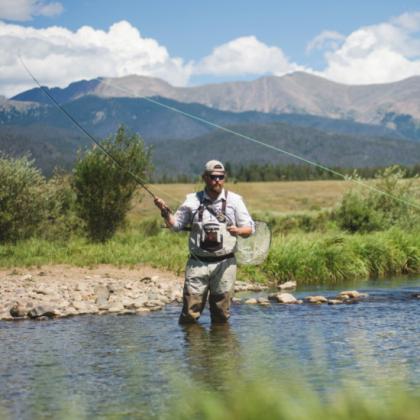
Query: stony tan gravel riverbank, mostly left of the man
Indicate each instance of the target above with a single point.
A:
(57, 291)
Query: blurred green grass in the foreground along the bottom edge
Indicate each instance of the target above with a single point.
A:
(289, 399)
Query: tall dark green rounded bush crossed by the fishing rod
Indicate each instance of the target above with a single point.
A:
(103, 188)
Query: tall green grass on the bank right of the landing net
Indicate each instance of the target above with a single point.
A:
(333, 257)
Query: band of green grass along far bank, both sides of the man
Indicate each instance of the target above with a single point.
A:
(311, 258)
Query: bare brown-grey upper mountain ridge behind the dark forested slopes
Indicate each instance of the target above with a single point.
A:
(298, 92)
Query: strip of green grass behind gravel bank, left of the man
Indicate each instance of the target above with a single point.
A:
(143, 244)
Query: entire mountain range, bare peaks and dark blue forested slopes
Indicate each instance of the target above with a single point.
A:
(332, 123)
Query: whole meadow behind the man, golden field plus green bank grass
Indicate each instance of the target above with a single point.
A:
(307, 244)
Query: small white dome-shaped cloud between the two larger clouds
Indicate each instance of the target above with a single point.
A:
(245, 55)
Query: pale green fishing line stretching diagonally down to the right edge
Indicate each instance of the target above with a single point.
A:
(269, 146)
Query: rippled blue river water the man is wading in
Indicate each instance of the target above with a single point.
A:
(128, 365)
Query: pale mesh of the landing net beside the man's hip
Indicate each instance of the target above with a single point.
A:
(254, 249)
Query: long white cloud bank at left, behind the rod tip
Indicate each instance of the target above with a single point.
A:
(59, 56)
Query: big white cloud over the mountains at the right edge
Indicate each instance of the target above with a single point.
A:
(381, 53)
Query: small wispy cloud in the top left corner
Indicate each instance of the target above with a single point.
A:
(21, 10)
